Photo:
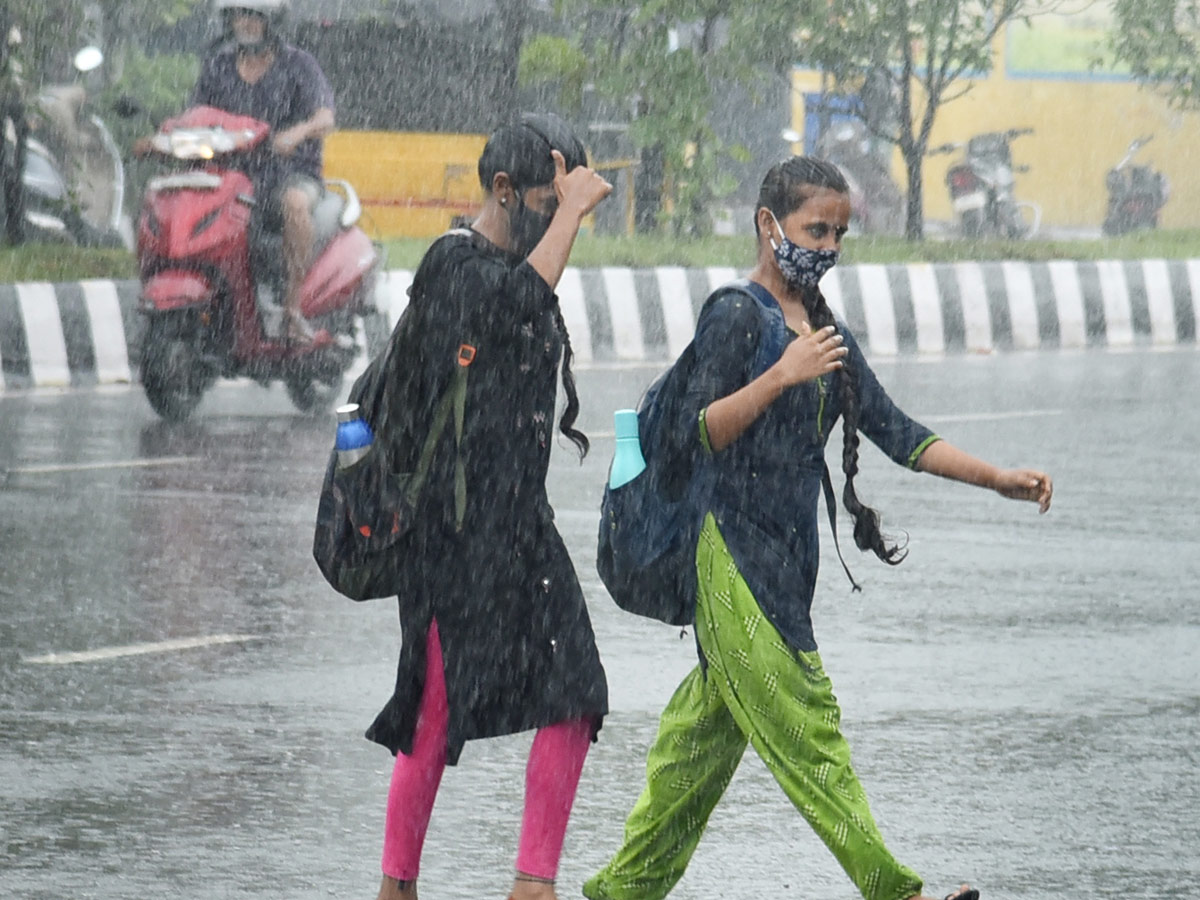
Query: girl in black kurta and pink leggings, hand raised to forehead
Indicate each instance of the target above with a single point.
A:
(496, 634)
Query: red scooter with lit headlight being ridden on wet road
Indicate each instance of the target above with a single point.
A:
(213, 281)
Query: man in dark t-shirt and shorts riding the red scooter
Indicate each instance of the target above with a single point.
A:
(255, 73)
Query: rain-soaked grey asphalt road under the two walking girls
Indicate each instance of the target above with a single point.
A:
(1023, 695)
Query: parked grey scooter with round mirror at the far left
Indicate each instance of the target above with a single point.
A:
(74, 177)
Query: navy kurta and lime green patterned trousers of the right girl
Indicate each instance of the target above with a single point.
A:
(760, 680)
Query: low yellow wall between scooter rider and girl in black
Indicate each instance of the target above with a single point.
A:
(411, 184)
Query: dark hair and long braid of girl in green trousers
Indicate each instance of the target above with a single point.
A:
(785, 189)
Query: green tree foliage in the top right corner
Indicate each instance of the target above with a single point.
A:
(1160, 40)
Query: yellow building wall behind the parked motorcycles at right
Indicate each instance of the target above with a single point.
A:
(1083, 127)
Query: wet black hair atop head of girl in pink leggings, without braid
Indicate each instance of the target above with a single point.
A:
(521, 149)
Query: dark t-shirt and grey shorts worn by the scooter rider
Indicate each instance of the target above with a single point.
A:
(291, 92)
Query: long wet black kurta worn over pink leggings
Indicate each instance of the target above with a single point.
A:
(517, 640)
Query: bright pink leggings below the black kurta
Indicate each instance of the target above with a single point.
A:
(553, 775)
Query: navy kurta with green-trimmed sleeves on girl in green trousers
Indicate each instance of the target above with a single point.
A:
(770, 479)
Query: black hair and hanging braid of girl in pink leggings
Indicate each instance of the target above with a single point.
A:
(523, 151)
